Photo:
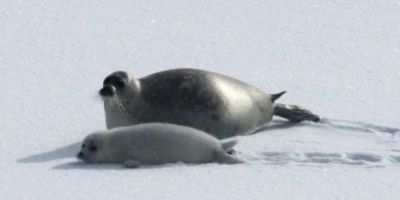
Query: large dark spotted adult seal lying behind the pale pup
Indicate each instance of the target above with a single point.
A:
(217, 104)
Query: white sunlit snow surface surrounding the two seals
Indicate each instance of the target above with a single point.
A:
(339, 58)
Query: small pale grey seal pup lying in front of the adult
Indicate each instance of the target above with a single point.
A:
(155, 143)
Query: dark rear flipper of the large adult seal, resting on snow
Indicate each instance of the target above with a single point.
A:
(294, 113)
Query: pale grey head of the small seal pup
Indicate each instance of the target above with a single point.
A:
(95, 149)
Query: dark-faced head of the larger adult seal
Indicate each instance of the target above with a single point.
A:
(119, 89)
